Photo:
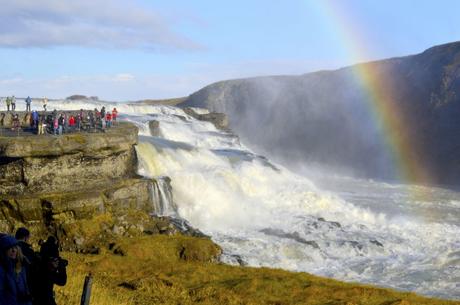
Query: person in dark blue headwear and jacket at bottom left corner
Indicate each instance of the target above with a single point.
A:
(13, 281)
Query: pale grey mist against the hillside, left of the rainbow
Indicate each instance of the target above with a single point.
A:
(308, 122)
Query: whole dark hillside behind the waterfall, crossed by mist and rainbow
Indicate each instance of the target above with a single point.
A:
(333, 118)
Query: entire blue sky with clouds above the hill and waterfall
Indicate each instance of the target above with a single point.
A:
(130, 50)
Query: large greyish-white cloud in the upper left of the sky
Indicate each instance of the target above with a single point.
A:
(87, 23)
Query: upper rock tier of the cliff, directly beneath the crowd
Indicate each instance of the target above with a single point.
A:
(36, 164)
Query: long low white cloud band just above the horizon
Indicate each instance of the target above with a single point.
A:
(127, 85)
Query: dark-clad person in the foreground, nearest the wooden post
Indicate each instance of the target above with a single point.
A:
(52, 270)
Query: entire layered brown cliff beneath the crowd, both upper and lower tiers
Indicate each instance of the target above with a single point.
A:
(48, 182)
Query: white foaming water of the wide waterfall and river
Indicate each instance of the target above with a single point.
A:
(401, 236)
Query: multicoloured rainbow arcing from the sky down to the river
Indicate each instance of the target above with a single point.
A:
(385, 109)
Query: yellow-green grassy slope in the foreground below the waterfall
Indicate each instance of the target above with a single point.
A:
(181, 270)
